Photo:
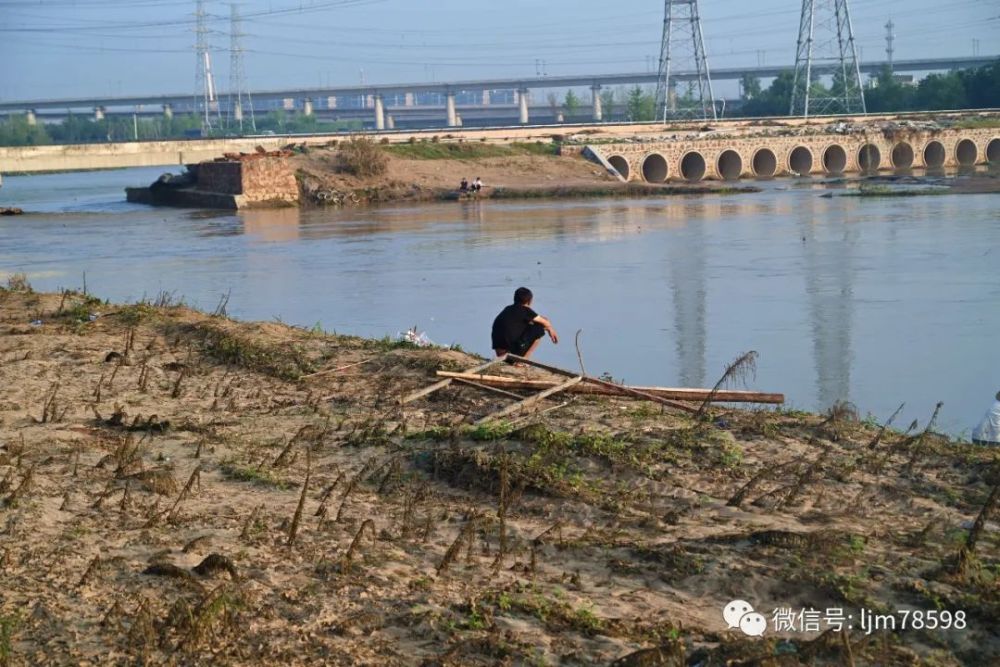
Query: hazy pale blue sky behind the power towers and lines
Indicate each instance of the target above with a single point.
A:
(70, 48)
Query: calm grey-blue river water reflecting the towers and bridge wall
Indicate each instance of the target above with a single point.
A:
(876, 301)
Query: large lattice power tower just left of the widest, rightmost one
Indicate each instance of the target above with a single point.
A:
(683, 50)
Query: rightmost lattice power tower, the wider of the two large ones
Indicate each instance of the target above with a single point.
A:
(827, 37)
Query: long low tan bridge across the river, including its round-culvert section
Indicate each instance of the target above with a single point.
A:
(637, 150)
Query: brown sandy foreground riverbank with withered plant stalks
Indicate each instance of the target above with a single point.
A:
(175, 491)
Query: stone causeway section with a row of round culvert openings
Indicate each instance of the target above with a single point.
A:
(833, 154)
